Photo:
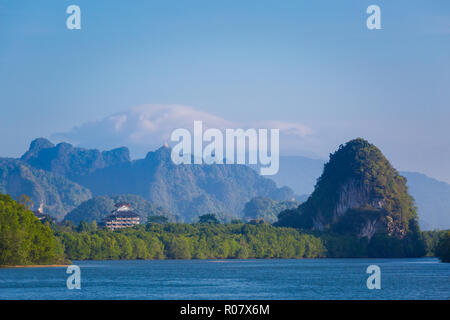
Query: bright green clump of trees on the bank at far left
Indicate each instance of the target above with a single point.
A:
(23, 238)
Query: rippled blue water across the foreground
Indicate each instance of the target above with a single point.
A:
(425, 278)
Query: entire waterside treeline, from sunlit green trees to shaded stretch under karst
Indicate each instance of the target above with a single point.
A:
(212, 240)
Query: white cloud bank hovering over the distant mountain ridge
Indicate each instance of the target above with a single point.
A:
(147, 127)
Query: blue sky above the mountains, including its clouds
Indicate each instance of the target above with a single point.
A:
(311, 68)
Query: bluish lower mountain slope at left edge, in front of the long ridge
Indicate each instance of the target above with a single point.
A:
(57, 194)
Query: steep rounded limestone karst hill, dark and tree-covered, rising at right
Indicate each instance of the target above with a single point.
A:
(359, 193)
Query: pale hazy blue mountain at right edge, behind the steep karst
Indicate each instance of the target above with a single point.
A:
(432, 200)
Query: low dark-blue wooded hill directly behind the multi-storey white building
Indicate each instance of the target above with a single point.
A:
(98, 208)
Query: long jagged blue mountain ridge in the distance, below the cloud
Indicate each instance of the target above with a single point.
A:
(187, 190)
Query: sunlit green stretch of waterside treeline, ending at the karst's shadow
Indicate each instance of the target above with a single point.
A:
(186, 241)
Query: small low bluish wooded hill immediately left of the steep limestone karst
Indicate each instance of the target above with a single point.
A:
(266, 208)
